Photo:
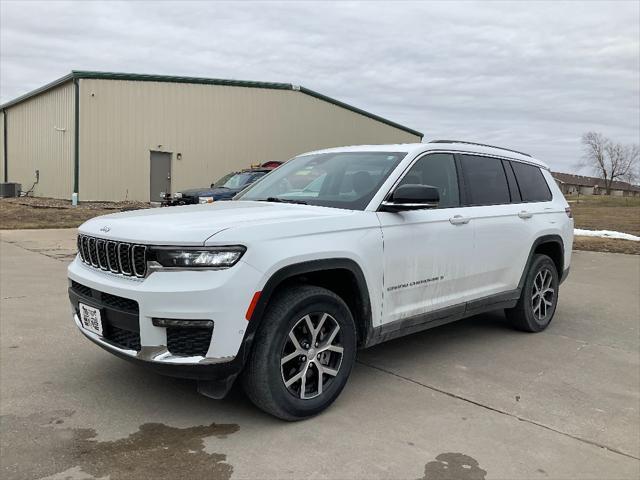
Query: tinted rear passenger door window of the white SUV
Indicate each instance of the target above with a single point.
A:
(485, 180)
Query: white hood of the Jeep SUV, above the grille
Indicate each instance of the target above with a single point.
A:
(194, 224)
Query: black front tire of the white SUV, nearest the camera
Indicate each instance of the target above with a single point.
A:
(264, 378)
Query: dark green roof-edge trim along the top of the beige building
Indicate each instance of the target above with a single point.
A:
(80, 74)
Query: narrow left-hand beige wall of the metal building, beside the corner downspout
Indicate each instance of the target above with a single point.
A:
(40, 135)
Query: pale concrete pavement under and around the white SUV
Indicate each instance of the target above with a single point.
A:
(470, 400)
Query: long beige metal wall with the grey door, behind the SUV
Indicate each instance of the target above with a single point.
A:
(216, 129)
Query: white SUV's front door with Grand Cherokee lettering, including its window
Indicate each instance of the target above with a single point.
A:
(427, 252)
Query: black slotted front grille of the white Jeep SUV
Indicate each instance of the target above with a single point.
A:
(116, 257)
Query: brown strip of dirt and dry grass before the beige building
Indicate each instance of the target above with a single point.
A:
(33, 212)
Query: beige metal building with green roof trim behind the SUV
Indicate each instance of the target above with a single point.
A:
(115, 136)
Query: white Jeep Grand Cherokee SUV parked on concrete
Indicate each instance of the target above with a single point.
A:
(333, 251)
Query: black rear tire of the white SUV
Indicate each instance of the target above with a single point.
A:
(525, 316)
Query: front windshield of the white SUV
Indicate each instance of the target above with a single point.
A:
(342, 179)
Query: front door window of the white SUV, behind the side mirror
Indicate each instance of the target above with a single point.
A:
(436, 170)
